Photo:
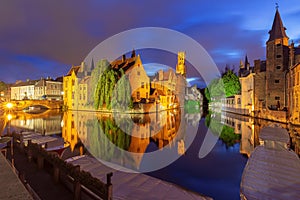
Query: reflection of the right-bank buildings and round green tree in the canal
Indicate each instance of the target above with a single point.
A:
(246, 131)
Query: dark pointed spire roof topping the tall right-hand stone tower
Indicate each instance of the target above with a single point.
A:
(278, 30)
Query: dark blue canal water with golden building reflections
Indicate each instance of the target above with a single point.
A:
(203, 154)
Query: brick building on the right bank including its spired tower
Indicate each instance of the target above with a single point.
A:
(272, 84)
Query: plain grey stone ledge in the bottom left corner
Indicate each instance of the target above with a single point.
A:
(10, 185)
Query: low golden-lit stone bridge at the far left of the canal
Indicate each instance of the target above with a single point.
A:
(22, 104)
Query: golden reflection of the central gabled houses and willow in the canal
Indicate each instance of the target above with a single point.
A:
(134, 135)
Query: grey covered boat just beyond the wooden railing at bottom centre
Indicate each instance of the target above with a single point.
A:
(134, 185)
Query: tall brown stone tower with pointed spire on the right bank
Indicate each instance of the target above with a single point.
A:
(277, 64)
